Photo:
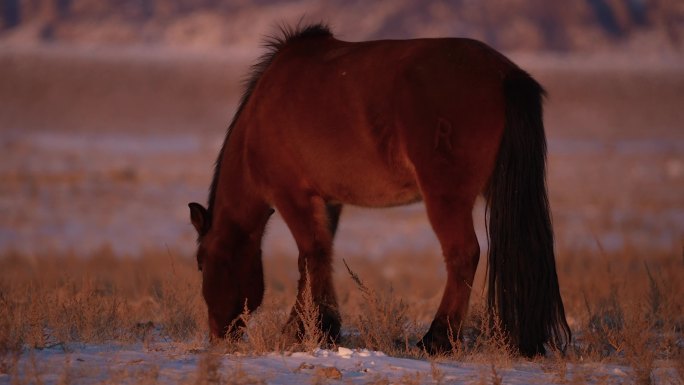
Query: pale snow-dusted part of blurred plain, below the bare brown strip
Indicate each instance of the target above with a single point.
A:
(81, 192)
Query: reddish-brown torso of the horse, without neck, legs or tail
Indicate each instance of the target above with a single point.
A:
(344, 117)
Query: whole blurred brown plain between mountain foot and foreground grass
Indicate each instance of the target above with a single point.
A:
(104, 148)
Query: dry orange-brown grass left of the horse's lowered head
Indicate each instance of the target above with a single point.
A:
(50, 301)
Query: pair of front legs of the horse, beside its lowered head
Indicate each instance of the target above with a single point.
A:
(307, 218)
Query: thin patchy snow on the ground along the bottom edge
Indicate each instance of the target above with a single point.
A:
(173, 364)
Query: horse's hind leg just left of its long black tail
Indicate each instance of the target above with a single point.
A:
(449, 205)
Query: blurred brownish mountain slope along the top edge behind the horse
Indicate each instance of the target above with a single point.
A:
(521, 25)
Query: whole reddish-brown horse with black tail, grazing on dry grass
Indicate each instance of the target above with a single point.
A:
(325, 122)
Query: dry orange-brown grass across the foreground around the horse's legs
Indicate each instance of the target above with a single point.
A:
(621, 311)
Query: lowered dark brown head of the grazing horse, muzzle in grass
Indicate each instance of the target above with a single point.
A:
(229, 258)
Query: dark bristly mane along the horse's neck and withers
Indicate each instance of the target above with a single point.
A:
(273, 44)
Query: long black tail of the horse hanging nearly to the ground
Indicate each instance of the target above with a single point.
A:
(522, 282)
